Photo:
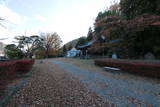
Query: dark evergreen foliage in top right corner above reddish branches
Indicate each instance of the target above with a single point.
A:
(133, 8)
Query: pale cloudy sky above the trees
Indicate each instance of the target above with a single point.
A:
(71, 19)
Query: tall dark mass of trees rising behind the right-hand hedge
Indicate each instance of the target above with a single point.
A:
(128, 28)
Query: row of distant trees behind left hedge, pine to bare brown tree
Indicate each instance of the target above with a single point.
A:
(40, 46)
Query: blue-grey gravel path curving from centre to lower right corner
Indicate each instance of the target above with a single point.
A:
(121, 92)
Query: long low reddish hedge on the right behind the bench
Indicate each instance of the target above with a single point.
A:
(139, 67)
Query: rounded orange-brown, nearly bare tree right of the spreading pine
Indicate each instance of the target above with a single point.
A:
(51, 41)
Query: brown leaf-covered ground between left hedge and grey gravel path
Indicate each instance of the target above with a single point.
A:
(52, 86)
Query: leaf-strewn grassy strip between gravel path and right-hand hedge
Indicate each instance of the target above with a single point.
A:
(120, 75)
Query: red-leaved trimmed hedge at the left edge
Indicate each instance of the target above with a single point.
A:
(9, 69)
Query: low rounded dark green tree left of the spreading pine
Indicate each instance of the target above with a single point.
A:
(13, 52)
